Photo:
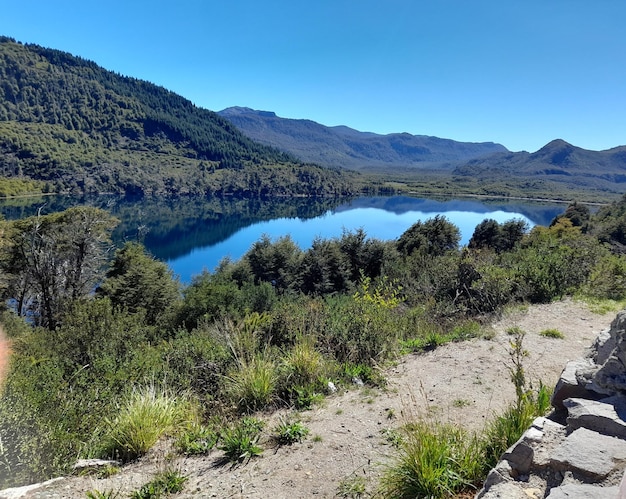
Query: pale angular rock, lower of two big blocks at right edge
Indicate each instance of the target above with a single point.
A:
(589, 453)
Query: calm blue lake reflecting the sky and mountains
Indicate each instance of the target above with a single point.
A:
(195, 234)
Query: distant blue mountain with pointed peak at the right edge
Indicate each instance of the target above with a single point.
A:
(557, 162)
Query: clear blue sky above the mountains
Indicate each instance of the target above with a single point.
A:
(520, 73)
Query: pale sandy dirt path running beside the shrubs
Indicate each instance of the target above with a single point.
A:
(463, 383)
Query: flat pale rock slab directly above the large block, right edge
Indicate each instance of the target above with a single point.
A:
(605, 416)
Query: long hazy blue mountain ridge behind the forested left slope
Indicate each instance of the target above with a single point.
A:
(345, 147)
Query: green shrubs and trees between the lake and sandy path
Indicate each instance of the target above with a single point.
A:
(270, 330)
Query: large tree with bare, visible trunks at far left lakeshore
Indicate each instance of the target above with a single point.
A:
(55, 259)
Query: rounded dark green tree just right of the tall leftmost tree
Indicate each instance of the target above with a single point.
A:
(136, 281)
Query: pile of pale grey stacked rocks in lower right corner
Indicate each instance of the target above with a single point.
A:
(580, 449)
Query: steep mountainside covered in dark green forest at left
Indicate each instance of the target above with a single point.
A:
(77, 127)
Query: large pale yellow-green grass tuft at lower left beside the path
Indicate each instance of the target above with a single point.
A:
(147, 415)
